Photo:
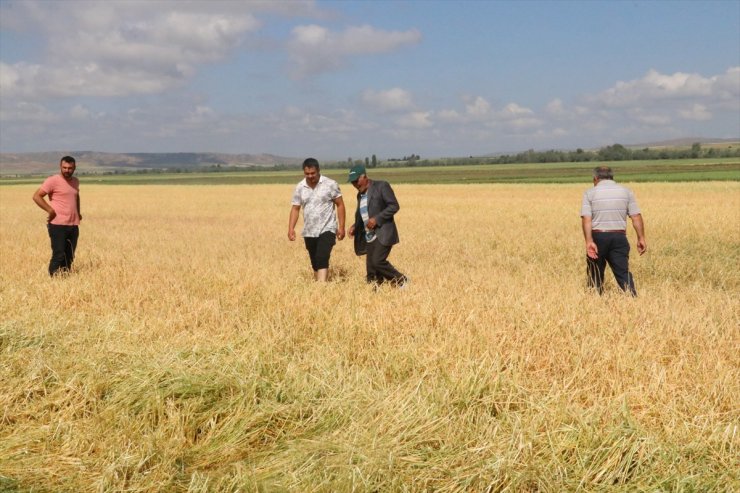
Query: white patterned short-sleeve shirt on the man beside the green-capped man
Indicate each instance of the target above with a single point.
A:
(318, 206)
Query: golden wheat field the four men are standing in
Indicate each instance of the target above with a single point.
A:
(191, 351)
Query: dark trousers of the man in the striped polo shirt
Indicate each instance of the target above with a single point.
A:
(614, 249)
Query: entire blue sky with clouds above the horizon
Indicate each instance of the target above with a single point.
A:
(338, 79)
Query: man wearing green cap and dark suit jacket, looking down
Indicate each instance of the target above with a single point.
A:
(374, 230)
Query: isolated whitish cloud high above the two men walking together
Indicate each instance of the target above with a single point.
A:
(315, 49)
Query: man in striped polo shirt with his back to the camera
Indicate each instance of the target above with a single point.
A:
(604, 220)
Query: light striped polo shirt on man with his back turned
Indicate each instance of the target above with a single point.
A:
(608, 204)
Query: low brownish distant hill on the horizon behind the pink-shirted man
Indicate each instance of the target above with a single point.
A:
(89, 161)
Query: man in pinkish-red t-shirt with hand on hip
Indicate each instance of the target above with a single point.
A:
(63, 211)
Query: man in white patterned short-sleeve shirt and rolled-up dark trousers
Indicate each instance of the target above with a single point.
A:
(317, 195)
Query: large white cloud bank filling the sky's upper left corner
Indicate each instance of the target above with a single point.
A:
(121, 48)
